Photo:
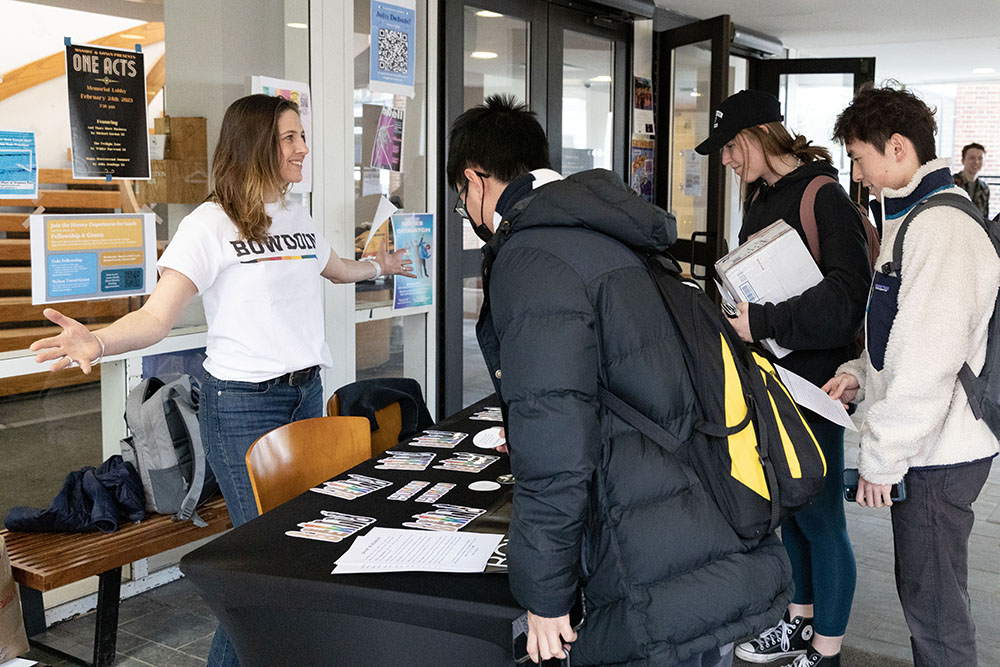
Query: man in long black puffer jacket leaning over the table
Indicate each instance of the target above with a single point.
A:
(569, 307)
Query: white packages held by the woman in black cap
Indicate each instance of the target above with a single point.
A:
(772, 266)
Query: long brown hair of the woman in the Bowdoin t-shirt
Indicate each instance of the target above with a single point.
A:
(245, 171)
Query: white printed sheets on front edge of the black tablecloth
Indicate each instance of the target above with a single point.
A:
(402, 550)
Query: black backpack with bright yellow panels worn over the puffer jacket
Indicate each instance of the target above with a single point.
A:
(751, 448)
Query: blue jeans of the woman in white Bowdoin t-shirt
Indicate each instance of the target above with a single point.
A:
(232, 416)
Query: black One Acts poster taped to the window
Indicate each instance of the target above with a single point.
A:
(107, 112)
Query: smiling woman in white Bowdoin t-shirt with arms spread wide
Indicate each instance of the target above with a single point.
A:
(256, 260)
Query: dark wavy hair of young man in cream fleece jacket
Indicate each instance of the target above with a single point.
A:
(876, 114)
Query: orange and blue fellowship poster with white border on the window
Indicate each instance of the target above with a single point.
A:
(92, 256)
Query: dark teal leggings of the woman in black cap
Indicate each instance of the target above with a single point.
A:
(818, 546)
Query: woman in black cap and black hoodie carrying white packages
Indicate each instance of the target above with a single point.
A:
(820, 326)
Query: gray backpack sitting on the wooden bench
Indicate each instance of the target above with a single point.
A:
(166, 448)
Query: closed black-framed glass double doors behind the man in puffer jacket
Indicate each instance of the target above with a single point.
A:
(572, 69)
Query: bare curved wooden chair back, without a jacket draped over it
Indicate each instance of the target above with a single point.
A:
(294, 457)
